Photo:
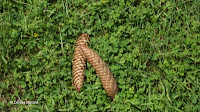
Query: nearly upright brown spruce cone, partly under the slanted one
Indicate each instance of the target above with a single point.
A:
(79, 61)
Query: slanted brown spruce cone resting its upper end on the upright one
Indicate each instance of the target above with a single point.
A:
(106, 77)
